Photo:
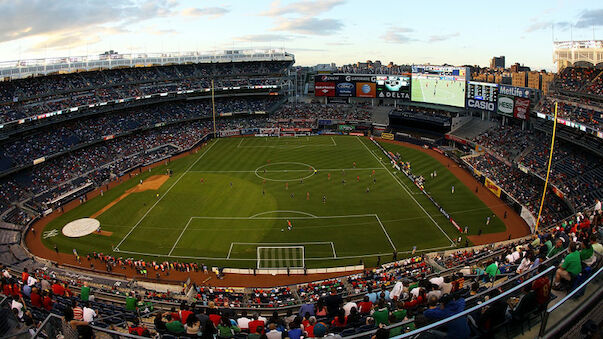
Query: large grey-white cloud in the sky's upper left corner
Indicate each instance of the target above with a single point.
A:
(21, 18)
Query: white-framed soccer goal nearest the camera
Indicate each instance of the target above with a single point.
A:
(280, 257)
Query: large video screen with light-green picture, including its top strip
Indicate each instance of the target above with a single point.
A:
(443, 85)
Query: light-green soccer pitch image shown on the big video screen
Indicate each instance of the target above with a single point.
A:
(444, 92)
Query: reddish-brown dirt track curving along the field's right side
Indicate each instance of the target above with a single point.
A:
(516, 226)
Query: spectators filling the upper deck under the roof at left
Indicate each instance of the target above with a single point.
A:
(33, 96)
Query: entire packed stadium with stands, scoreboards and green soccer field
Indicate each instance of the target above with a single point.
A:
(236, 194)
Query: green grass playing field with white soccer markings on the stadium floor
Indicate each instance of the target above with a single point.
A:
(230, 205)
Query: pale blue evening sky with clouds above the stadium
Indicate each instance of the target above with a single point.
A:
(339, 31)
